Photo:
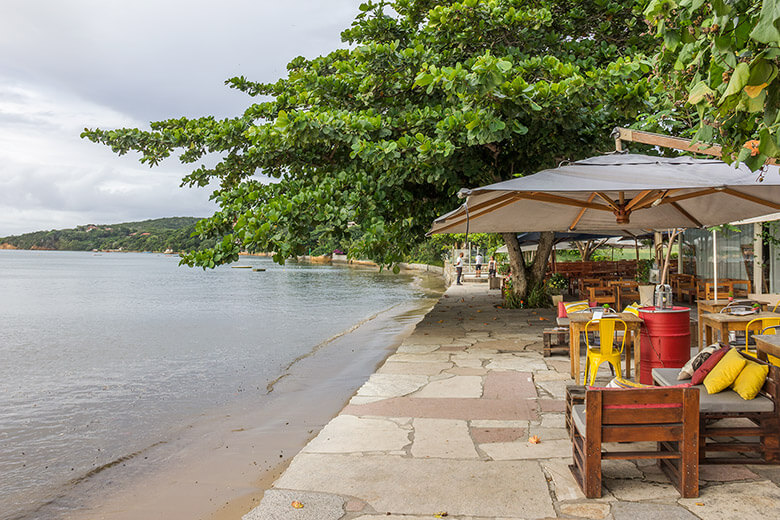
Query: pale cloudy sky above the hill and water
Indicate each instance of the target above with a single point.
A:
(75, 64)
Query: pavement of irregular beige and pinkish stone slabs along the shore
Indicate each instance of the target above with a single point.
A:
(443, 427)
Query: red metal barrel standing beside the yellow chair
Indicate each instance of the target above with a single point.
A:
(665, 340)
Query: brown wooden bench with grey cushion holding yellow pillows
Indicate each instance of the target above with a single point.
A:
(757, 438)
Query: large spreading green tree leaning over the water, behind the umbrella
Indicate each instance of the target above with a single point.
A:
(430, 97)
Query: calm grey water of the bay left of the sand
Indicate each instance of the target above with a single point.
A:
(103, 355)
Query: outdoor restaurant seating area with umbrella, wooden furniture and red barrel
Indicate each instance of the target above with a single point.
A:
(694, 353)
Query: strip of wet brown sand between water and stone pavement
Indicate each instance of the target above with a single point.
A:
(218, 467)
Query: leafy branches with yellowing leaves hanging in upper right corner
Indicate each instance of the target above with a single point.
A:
(719, 60)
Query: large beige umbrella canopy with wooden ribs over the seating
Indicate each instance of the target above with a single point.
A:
(618, 192)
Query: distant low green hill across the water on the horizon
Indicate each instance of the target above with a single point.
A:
(149, 235)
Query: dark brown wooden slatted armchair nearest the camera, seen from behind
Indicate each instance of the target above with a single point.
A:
(668, 416)
